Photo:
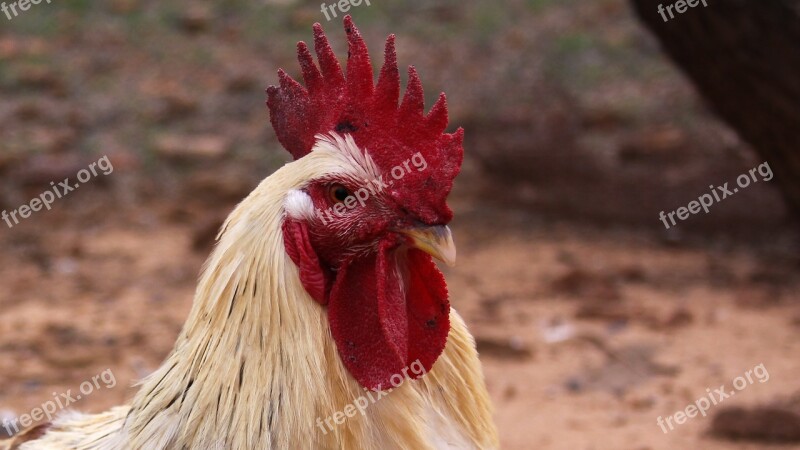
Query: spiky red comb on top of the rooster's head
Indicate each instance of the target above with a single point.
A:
(353, 104)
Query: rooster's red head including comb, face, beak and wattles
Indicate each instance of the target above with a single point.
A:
(363, 232)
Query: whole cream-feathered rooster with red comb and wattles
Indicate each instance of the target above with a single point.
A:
(302, 314)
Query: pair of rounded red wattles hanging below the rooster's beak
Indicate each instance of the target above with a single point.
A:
(378, 331)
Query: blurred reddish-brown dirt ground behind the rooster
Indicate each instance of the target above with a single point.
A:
(592, 319)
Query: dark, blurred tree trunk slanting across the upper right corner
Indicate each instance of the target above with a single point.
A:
(744, 58)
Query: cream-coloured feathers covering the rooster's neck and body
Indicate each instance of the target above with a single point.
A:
(255, 364)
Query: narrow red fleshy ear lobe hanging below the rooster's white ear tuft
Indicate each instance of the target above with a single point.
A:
(315, 278)
